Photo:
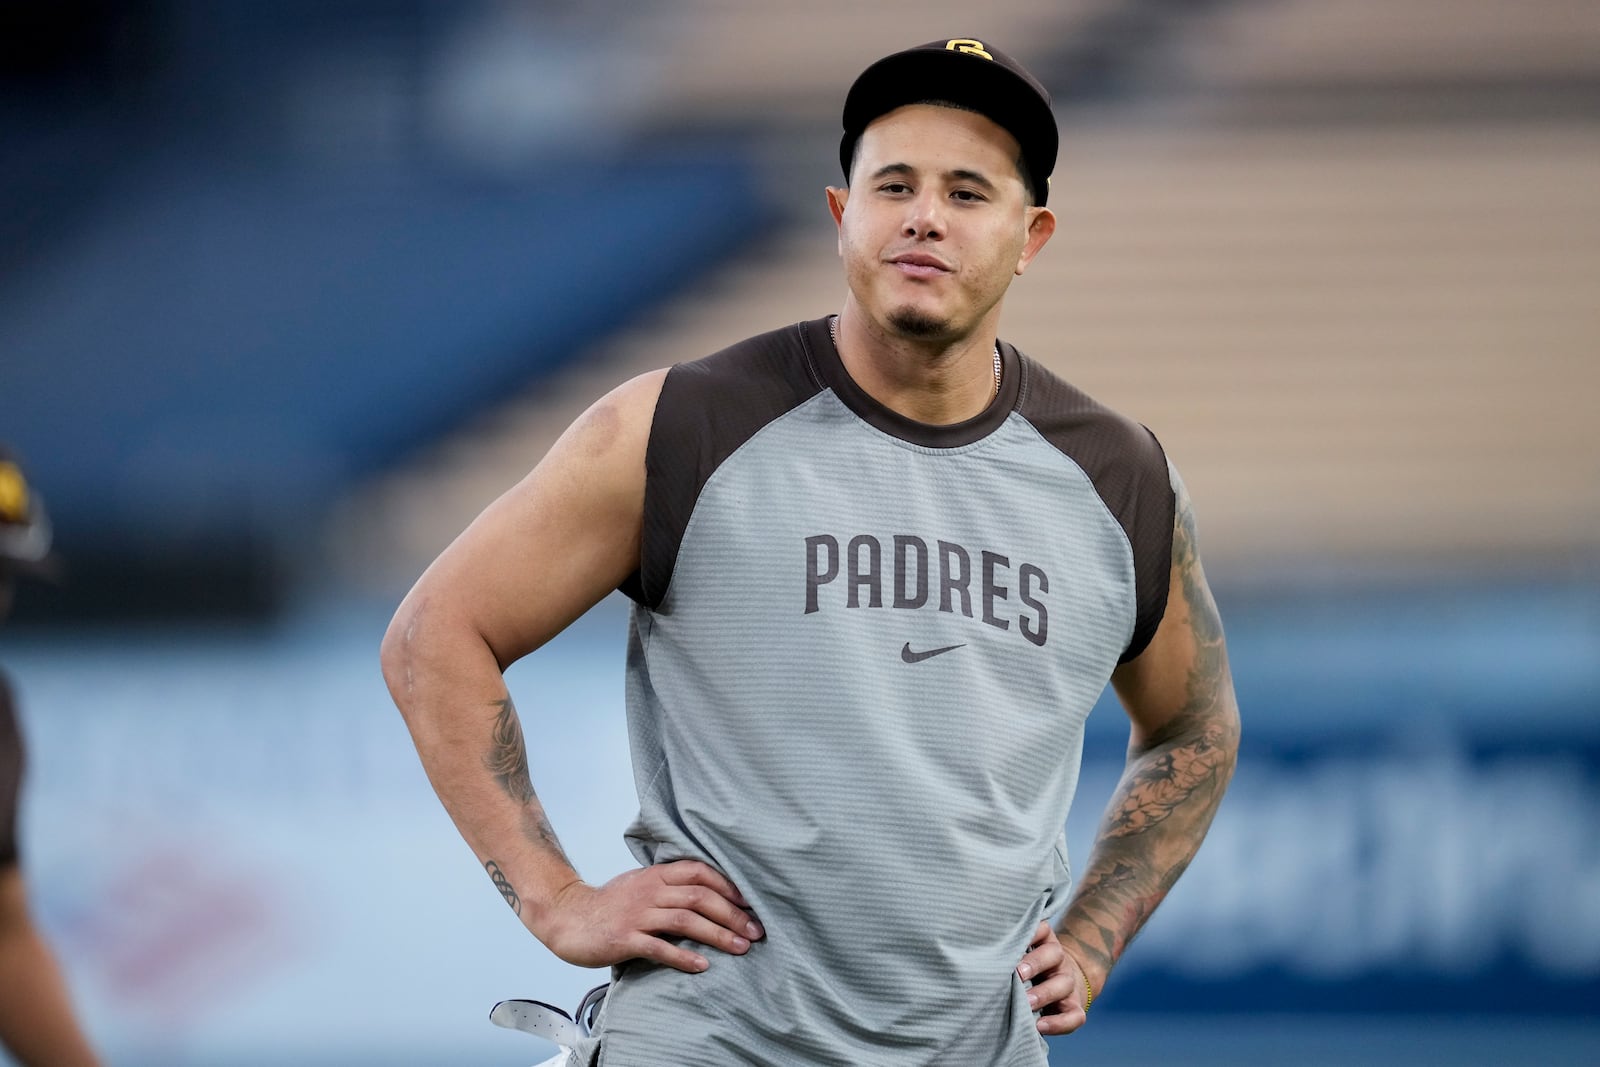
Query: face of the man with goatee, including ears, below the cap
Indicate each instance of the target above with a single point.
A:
(935, 223)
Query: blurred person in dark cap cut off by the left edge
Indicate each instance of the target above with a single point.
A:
(38, 1025)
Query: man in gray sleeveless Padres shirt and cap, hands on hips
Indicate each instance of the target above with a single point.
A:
(882, 569)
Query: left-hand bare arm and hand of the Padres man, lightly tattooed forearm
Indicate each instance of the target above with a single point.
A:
(532, 564)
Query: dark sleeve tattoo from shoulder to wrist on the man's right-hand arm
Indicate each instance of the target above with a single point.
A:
(1174, 783)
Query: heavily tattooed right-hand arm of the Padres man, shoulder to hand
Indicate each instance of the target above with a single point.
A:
(1182, 756)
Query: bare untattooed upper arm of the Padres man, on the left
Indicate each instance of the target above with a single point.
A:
(556, 543)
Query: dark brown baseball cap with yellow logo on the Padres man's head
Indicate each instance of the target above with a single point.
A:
(967, 73)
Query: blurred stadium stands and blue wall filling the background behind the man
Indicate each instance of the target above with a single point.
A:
(290, 292)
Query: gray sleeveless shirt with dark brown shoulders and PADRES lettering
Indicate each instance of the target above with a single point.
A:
(862, 658)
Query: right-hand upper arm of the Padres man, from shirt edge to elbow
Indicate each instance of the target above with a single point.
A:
(1182, 681)
